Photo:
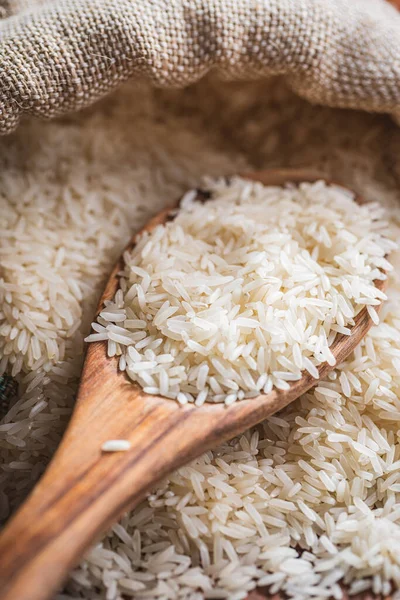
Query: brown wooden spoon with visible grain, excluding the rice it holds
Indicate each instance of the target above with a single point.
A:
(85, 490)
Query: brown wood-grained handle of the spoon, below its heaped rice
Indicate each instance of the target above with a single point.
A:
(84, 490)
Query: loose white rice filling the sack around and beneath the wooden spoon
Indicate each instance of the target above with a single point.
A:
(304, 500)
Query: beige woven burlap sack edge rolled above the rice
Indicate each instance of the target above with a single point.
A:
(61, 55)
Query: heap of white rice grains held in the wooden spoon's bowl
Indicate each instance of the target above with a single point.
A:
(242, 293)
